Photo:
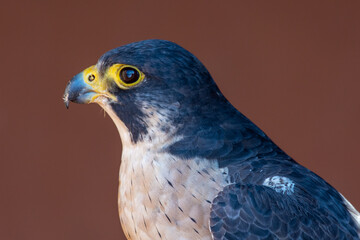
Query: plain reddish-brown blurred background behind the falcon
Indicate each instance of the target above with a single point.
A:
(292, 67)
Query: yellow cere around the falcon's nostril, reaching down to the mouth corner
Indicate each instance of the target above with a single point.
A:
(92, 77)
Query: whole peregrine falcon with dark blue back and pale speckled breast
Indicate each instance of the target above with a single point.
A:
(193, 166)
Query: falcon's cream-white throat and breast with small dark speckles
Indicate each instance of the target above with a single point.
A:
(161, 196)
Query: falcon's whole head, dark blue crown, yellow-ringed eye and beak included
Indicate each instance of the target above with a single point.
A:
(143, 81)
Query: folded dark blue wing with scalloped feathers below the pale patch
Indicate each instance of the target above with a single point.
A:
(245, 211)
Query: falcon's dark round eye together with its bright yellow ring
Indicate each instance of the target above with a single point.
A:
(126, 76)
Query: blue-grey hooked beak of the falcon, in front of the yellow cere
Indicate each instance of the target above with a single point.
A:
(78, 91)
